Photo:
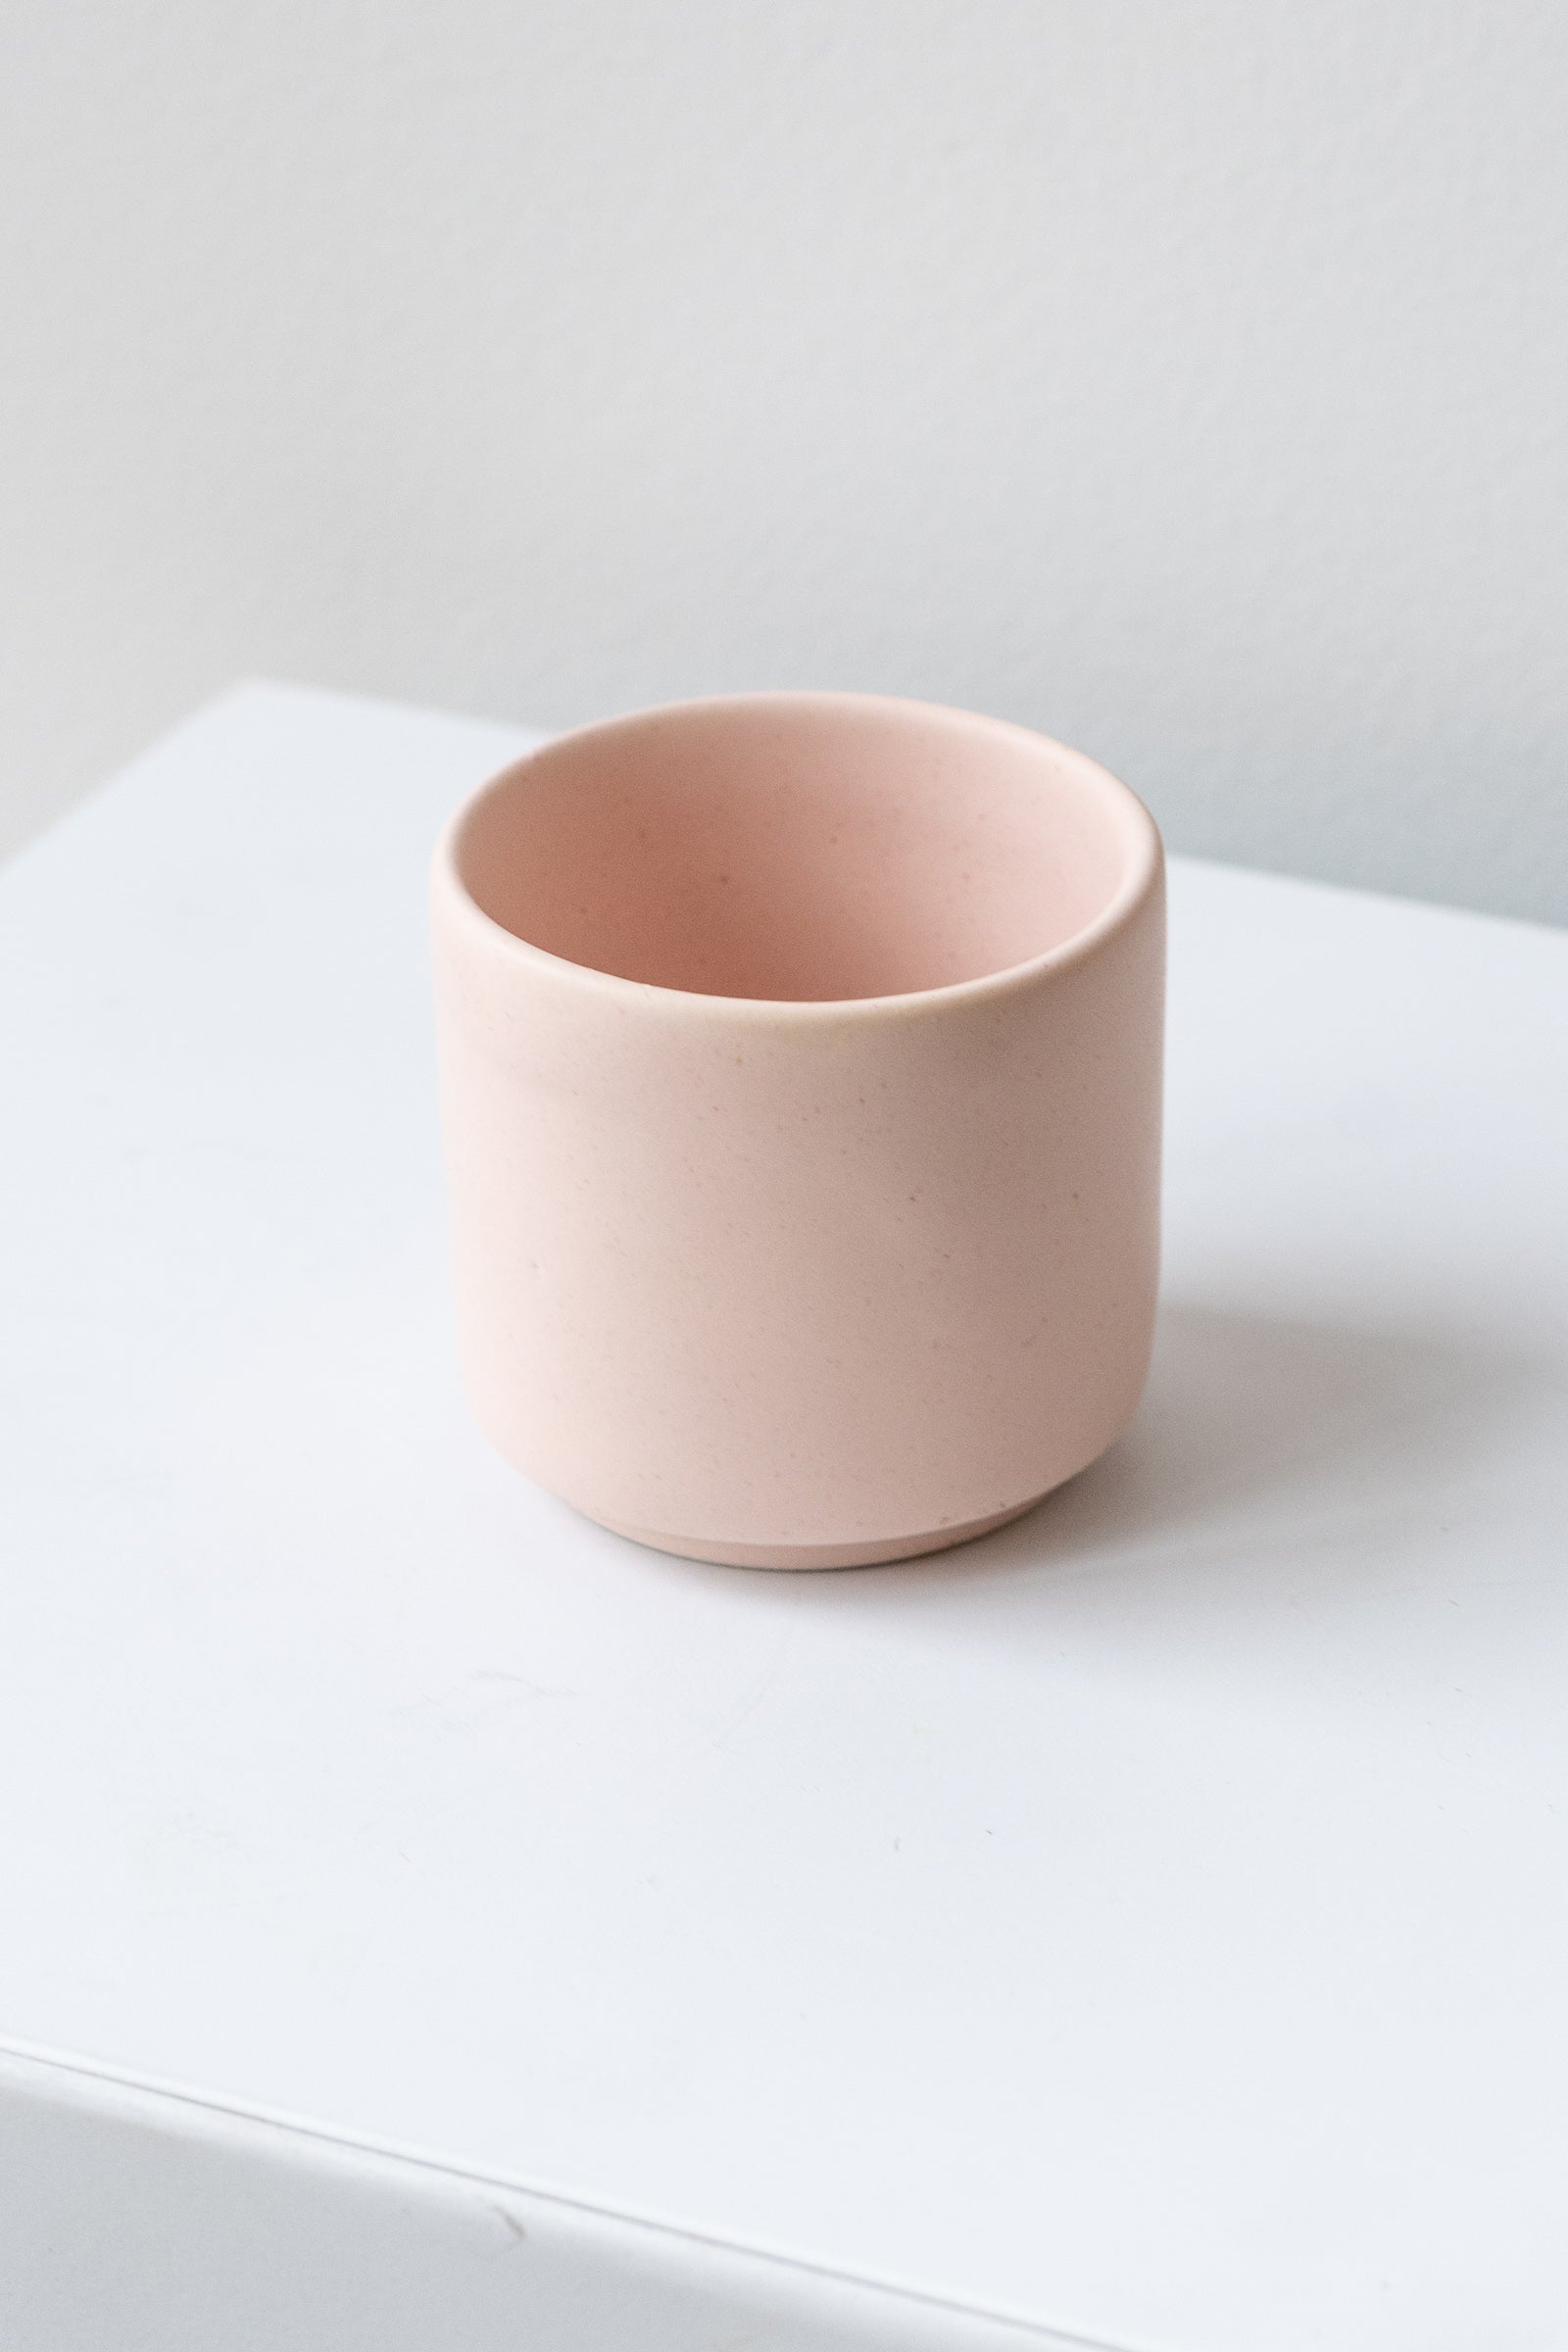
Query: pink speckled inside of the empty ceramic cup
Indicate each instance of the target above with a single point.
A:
(800, 848)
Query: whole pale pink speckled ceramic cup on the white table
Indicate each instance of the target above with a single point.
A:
(800, 1085)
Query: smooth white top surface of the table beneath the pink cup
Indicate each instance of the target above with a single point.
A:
(1151, 1923)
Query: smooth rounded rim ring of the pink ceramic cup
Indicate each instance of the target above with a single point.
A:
(1139, 883)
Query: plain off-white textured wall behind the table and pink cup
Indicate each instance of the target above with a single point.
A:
(1188, 380)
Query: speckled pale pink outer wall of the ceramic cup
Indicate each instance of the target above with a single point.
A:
(800, 1278)
